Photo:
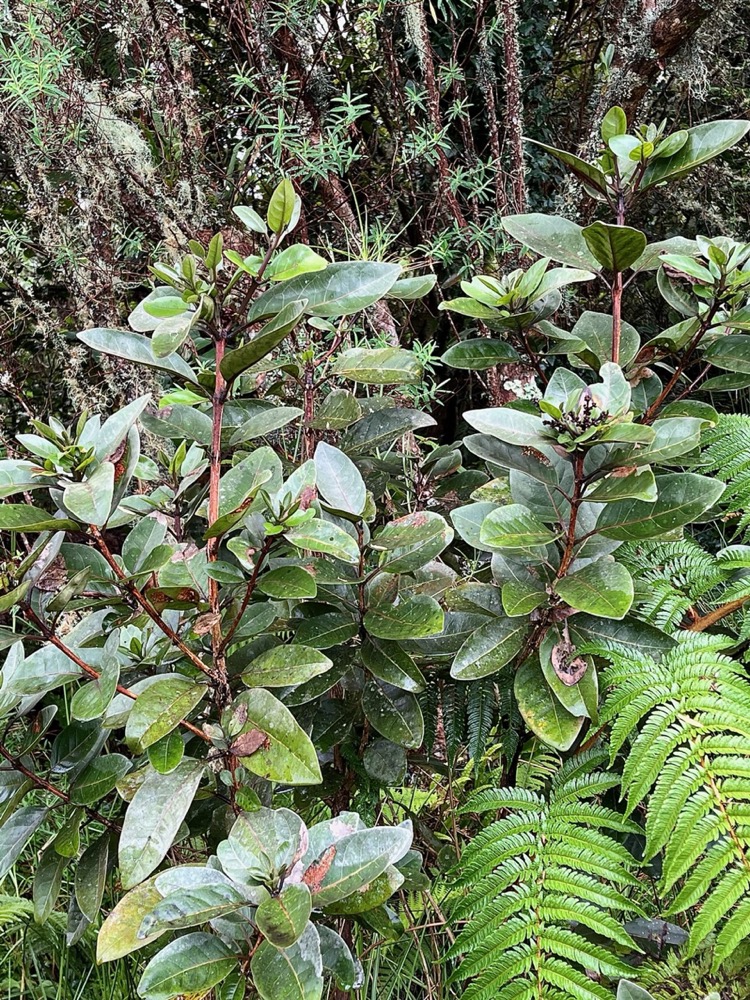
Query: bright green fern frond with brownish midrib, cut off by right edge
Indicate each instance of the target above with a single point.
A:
(690, 765)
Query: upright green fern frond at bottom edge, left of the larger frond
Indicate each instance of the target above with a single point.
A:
(555, 869)
